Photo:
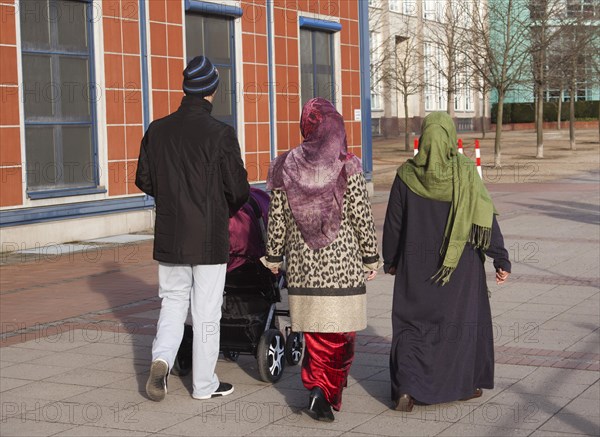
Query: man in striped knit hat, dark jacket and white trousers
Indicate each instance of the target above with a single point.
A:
(191, 164)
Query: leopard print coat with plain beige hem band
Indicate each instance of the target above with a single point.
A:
(326, 287)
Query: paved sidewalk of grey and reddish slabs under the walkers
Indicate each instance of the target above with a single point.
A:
(76, 329)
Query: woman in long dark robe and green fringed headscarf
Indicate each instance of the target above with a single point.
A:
(440, 224)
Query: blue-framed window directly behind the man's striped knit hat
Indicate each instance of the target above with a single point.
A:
(212, 36)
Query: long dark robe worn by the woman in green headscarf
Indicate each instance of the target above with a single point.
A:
(442, 345)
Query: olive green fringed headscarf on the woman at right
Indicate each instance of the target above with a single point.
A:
(439, 172)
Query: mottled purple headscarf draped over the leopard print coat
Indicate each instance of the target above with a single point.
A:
(315, 174)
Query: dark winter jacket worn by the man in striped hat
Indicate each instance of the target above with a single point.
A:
(191, 164)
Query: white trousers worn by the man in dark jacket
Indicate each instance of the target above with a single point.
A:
(203, 286)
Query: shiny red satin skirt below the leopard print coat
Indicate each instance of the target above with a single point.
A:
(326, 364)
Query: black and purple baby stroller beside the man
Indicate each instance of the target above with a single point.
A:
(249, 312)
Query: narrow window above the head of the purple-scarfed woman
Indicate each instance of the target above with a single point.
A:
(316, 64)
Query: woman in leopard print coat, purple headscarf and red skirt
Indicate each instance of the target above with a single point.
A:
(320, 220)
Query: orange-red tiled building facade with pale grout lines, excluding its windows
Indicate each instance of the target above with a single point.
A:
(124, 105)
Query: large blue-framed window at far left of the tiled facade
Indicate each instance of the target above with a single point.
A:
(58, 93)
